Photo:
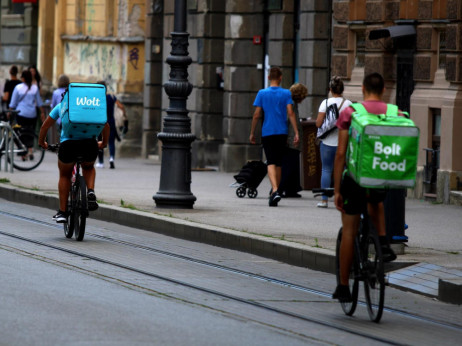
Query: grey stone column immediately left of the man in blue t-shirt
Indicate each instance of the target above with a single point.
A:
(242, 80)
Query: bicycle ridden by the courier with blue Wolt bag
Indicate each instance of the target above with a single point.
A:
(77, 205)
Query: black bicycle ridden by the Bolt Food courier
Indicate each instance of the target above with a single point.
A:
(367, 266)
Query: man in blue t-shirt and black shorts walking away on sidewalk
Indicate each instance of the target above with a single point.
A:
(276, 104)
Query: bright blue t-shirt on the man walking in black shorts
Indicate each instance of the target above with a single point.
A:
(274, 101)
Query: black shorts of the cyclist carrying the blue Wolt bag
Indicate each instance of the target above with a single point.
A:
(70, 150)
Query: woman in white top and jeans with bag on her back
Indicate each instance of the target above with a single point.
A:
(329, 142)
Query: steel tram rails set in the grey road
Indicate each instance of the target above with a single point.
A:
(211, 291)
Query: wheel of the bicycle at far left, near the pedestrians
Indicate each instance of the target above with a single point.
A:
(27, 154)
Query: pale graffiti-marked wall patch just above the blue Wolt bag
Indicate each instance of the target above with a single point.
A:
(93, 61)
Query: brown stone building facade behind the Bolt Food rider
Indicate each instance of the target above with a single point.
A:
(423, 73)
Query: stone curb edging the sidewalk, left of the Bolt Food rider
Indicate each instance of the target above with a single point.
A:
(280, 250)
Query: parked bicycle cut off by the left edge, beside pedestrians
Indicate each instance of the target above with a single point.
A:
(27, 155)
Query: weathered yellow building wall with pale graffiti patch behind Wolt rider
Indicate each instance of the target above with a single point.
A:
(91, 40)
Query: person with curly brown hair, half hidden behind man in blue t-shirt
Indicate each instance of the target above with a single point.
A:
(290, 180)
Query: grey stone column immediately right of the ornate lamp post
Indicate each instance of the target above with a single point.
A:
(206, 22)
